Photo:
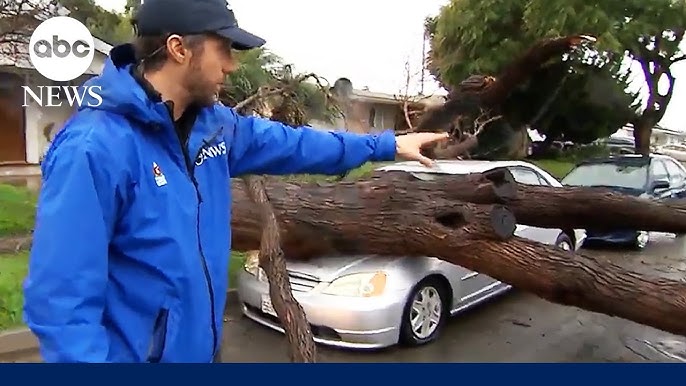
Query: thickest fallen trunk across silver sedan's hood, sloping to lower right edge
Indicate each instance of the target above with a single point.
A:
(398, 216)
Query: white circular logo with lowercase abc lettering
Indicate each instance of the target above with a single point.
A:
(61, 48)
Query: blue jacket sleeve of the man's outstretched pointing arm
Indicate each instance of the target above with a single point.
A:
(262, 146)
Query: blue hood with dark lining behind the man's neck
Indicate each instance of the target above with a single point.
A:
(120, 91)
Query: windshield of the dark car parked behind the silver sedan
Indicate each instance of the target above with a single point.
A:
(621, 175)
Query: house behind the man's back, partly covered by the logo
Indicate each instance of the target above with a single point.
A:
(26, 131)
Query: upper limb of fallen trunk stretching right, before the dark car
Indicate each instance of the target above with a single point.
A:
(568, 207)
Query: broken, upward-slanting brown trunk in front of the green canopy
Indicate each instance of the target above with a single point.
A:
(479, 112)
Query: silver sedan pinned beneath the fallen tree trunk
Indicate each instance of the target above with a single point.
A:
(368, 302)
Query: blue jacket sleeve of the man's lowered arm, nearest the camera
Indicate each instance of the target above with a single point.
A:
(65, 288)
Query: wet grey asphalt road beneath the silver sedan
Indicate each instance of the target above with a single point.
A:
(517, 327)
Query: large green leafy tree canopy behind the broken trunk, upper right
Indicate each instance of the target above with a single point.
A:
(578, 98)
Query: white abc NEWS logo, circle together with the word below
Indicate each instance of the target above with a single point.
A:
(62, 49)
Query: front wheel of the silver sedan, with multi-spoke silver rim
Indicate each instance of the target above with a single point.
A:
(425, 313)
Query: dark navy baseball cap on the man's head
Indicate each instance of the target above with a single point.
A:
(185, 17)
